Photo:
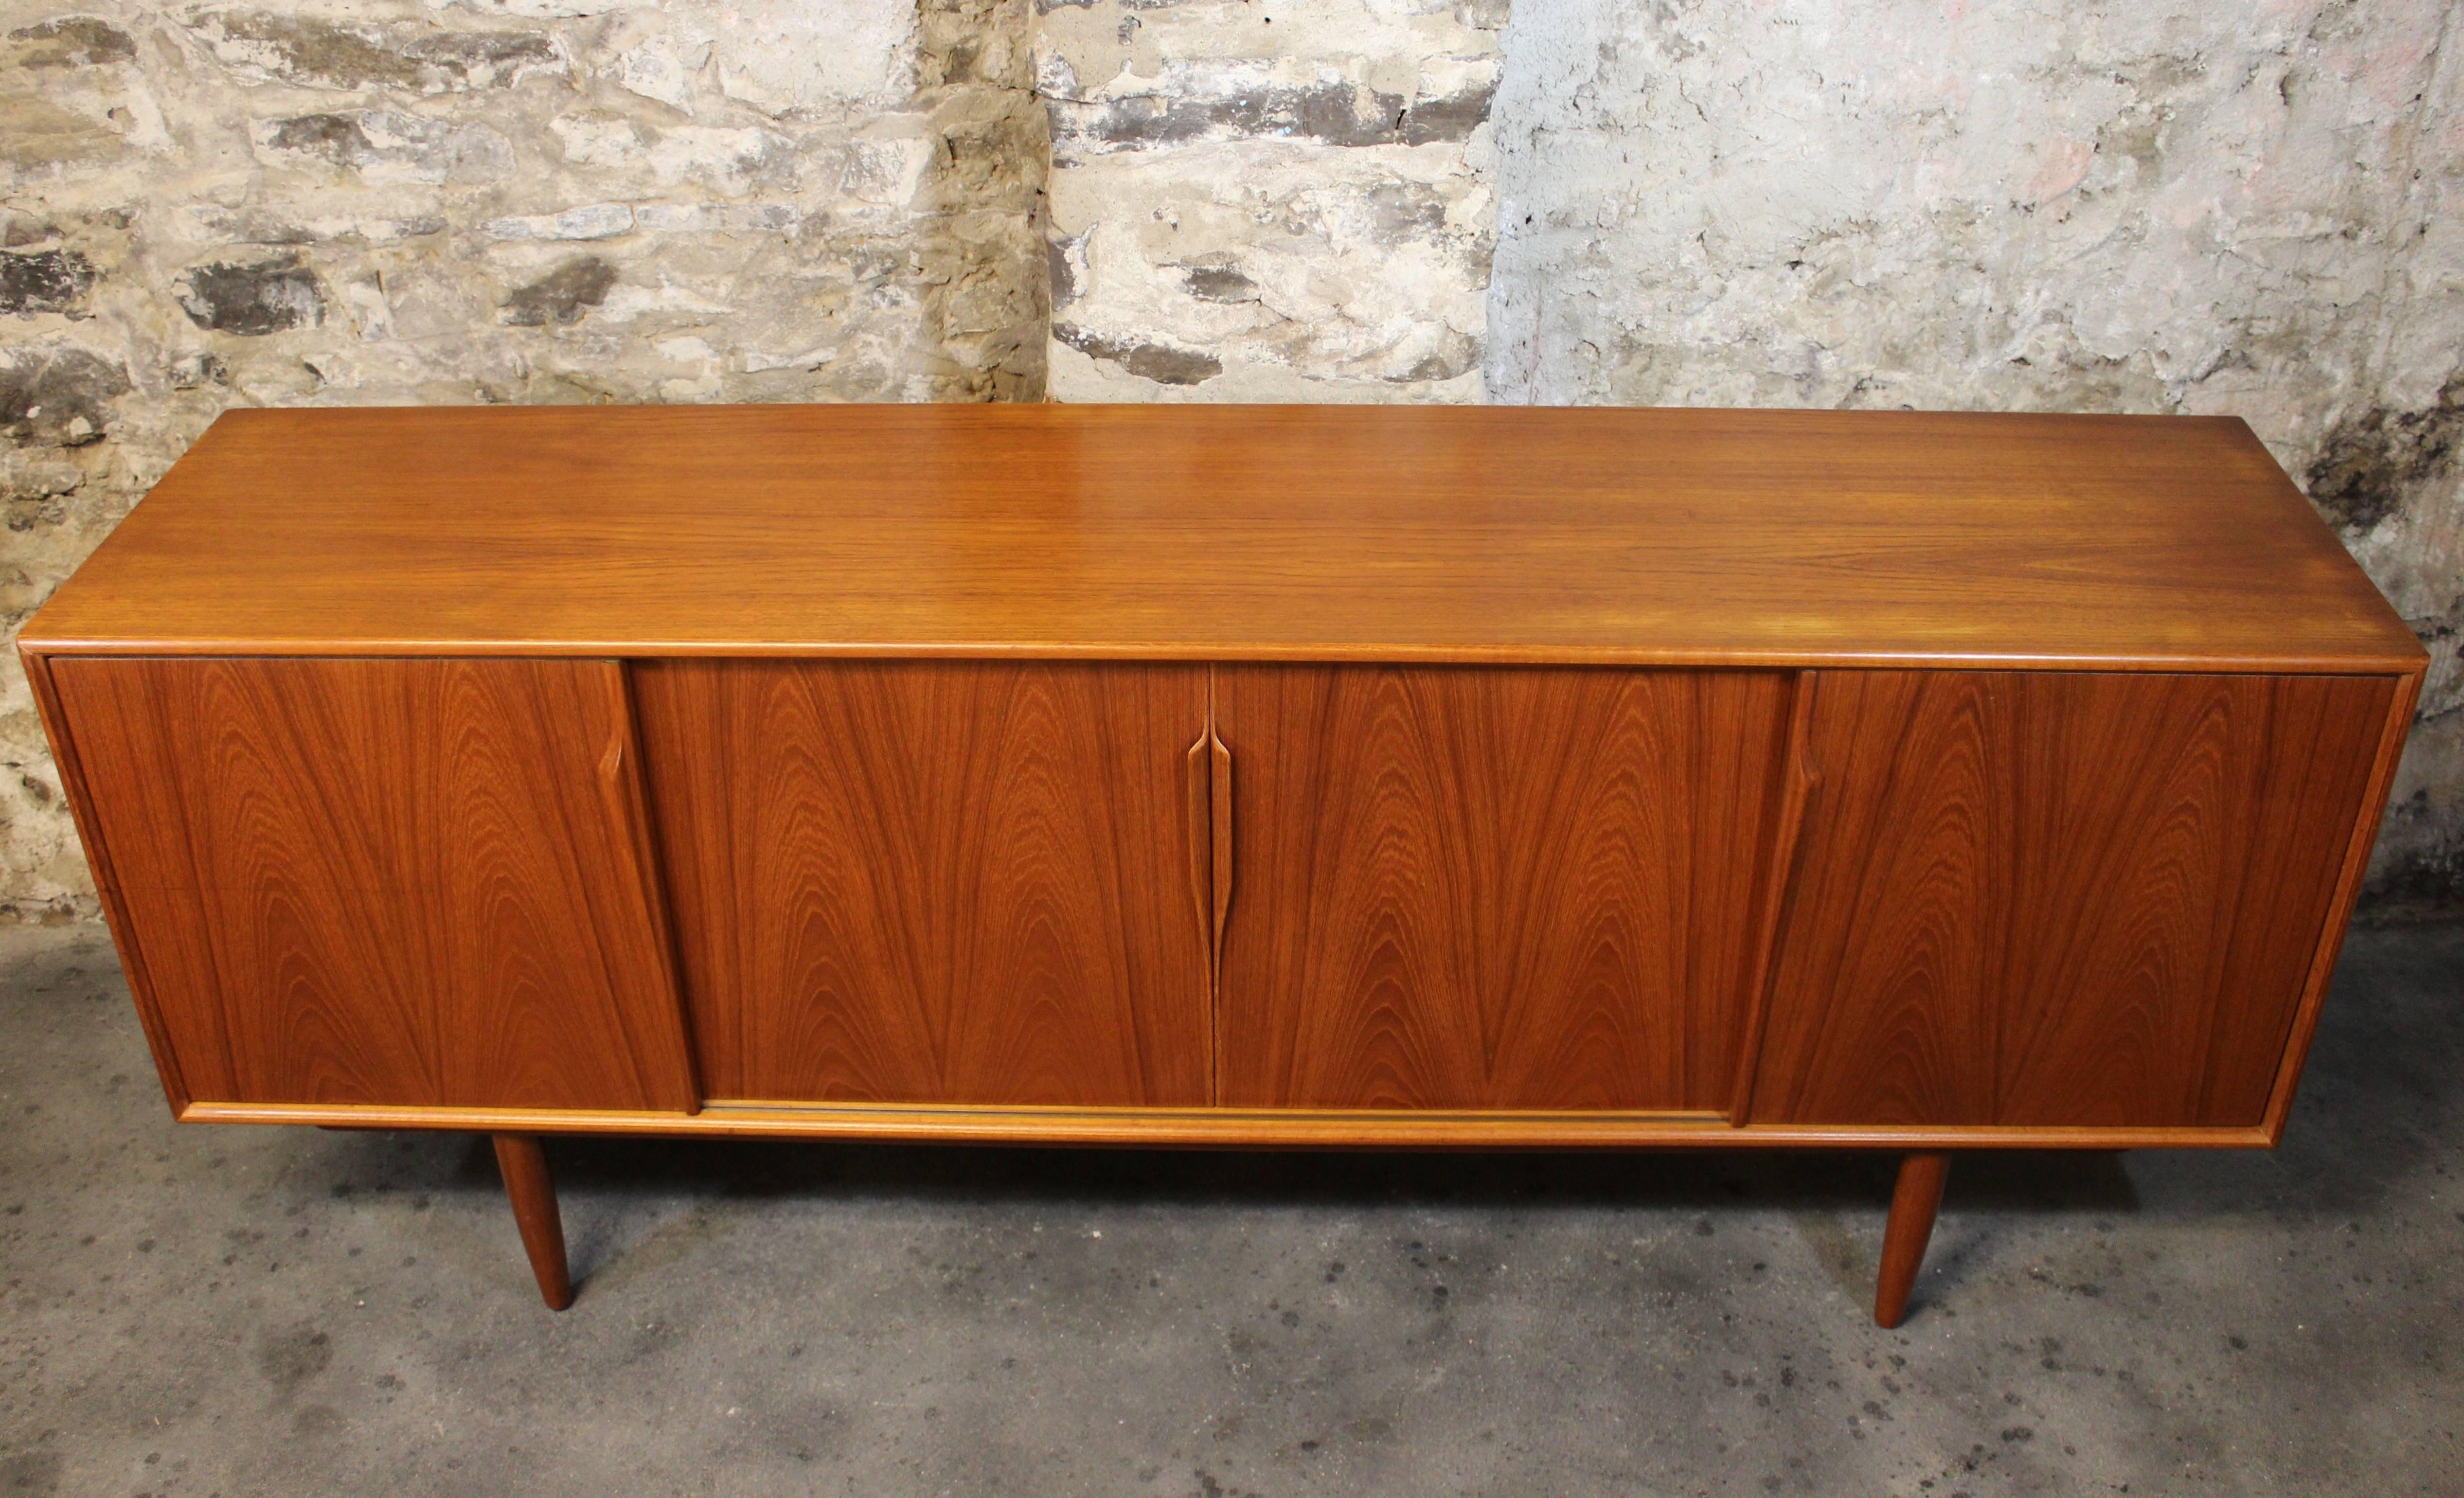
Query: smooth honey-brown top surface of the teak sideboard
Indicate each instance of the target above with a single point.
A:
(1216, 533)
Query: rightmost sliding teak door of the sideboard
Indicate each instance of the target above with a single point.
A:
(2061, 901)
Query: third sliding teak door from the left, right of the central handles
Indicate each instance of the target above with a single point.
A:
(1492, 888)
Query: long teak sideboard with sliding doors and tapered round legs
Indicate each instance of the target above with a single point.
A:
(1231, 777)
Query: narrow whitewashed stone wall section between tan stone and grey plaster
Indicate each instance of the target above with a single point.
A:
(1270, 203)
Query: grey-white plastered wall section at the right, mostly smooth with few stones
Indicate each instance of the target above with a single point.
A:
(2101, 206)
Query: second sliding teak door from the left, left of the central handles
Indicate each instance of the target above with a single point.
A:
(935, 881)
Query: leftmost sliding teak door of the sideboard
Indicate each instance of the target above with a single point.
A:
(383, 881)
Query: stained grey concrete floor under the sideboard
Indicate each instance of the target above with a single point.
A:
(299, 1312)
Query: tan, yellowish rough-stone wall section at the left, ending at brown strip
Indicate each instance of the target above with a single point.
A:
(484, 201)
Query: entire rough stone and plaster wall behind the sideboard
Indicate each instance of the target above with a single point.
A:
(2034, 206)
